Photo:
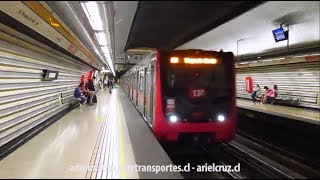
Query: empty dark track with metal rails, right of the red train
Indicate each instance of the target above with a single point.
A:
(267, 160)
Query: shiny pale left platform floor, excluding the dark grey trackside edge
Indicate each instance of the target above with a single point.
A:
(75, 145)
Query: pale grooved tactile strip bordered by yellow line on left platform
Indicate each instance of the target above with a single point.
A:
(112, 157)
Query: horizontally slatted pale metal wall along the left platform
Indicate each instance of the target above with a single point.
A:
(25, 99)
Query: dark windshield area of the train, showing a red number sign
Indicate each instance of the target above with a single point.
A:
(197, 92)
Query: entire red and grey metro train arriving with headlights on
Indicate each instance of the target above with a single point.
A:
(185, 95)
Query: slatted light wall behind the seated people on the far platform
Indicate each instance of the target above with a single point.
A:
(297, 80)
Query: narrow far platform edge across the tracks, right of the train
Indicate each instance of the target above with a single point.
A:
(300, 114)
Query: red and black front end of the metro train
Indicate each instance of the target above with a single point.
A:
(197, 96)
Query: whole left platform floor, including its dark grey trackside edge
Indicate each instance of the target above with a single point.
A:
(106, 140)
